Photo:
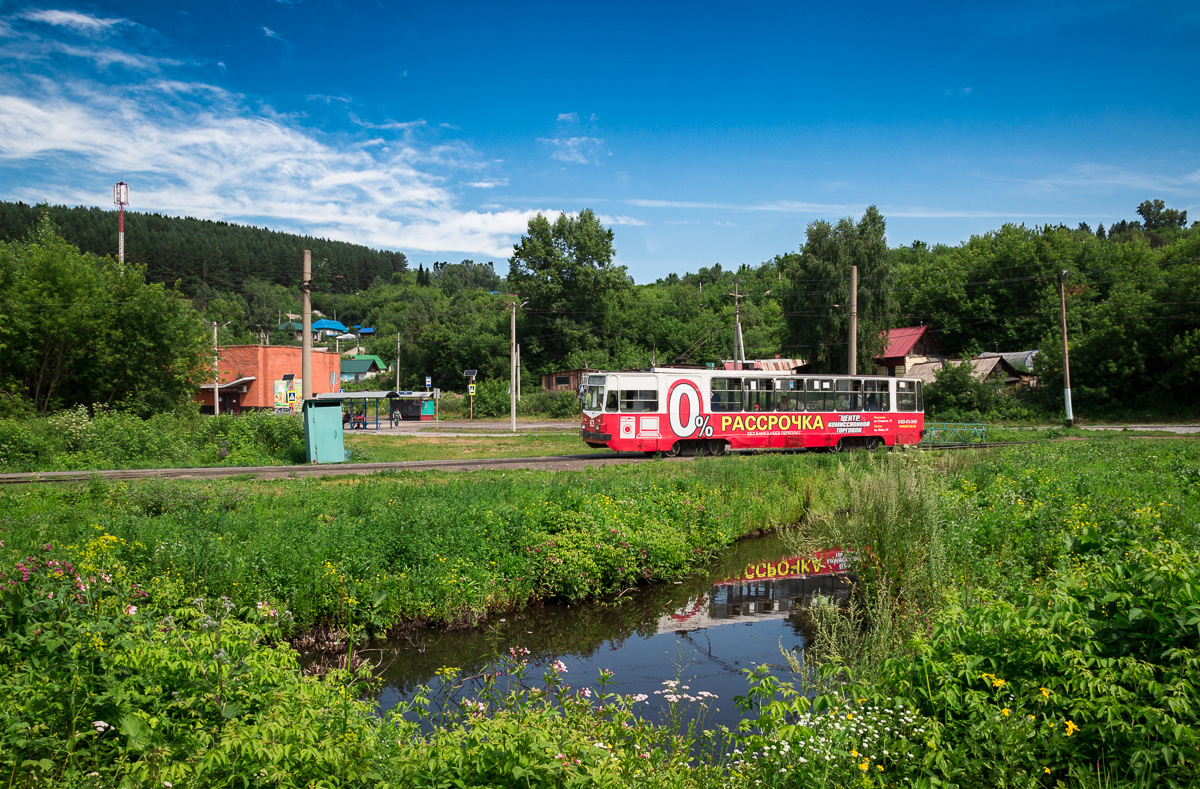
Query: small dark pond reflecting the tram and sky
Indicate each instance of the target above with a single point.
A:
(737, 613)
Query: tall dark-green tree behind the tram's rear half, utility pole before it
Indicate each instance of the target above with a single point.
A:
(817, 293)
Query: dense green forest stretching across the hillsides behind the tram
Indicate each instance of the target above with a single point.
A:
(1133, 298)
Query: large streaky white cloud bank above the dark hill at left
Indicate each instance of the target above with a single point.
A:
(196, 150)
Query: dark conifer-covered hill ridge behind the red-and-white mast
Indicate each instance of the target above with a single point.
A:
(205, 255)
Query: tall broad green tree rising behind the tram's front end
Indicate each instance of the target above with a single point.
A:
(567, 274)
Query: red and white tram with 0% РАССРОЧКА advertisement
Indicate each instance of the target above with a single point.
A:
(698, 412)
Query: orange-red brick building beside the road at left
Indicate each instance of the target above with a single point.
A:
(254, 378)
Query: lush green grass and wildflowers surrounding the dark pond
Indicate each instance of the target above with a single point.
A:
(1029, 617)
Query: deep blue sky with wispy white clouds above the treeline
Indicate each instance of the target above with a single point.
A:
(700, 132)
